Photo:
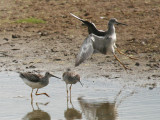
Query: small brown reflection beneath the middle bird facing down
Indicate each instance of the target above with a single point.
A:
(72, 113)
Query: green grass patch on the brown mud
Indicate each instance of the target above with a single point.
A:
(30, 20)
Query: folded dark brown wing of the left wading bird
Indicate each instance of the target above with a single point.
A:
(30, 77)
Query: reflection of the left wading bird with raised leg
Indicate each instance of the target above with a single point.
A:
(37, 114)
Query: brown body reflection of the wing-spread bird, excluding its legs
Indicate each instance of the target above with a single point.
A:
(98, 111)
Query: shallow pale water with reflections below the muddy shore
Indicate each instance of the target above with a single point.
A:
(98, 99)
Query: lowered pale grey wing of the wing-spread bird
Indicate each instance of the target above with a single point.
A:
(86, 50)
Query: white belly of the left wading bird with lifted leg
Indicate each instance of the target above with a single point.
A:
(33, 84)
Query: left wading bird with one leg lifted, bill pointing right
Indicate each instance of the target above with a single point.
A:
(37, 81)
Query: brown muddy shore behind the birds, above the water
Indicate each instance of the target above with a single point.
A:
(54, 45)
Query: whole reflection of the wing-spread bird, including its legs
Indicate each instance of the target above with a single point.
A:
(94, 110)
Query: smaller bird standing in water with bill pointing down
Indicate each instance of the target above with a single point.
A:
(70, 77)
